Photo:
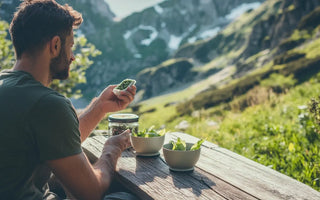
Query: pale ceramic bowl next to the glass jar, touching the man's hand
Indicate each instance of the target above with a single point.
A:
(147, 146)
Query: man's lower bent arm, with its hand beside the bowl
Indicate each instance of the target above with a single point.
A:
(86, 181)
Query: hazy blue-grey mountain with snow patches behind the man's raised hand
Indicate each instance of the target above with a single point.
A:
(148, 38)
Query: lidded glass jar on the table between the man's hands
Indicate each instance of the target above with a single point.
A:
(122, 121)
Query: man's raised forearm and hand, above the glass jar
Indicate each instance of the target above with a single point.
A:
(106, 102)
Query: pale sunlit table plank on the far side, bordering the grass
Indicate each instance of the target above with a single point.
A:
(252, 177)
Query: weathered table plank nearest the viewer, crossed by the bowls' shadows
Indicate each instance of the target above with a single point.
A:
(153, 177)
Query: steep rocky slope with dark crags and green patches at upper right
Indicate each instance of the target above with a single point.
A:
(249, 43)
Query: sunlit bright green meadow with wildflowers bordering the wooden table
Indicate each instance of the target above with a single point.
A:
(276, 130)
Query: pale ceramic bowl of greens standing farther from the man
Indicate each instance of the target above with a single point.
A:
(181, 160)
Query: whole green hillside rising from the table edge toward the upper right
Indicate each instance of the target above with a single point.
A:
(262, 105)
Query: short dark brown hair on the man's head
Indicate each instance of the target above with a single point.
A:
(37, 21)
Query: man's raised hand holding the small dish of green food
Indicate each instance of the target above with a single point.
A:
(112, 103)
